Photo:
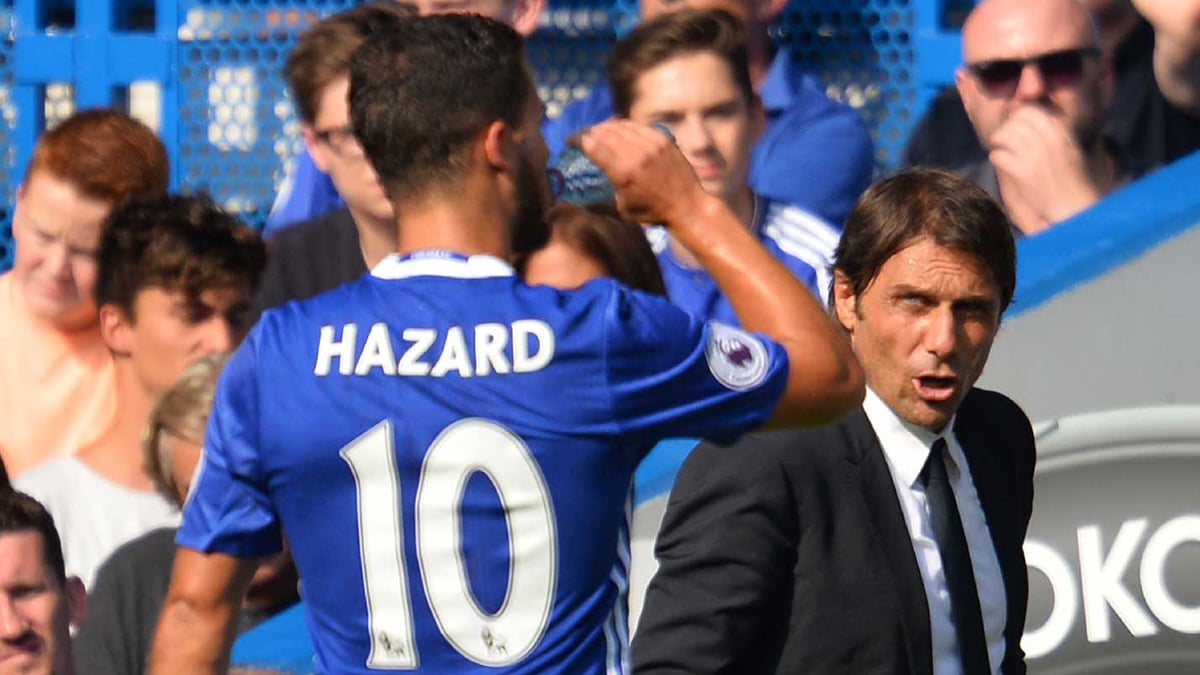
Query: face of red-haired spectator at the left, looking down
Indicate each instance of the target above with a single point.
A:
(57, 231)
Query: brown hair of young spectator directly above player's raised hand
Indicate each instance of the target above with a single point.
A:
(676, 34)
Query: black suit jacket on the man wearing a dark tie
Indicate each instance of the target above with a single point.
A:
(789, 553)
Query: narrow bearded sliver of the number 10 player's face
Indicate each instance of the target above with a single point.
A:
(533, 193)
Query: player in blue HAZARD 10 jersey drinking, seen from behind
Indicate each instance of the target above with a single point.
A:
(451, 450)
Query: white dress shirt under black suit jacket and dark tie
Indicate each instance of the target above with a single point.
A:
(907, 449)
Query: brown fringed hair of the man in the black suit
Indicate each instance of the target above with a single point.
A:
(949, 210)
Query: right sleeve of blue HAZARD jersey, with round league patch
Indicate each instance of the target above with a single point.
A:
(670, 374)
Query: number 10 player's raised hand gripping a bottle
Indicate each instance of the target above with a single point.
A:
(653, 180)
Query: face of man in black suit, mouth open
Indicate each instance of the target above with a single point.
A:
(922, 330)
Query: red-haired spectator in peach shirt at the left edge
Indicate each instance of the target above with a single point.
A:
(56, 373)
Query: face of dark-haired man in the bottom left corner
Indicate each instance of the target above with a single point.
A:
(35, 610)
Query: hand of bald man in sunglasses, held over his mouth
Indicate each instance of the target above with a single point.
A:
(1037, 158)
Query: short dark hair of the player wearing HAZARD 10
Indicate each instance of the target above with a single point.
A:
(422, 93)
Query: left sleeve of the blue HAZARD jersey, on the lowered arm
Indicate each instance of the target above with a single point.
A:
(229, 510)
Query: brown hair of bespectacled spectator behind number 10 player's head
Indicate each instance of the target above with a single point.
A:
(323, 52)
